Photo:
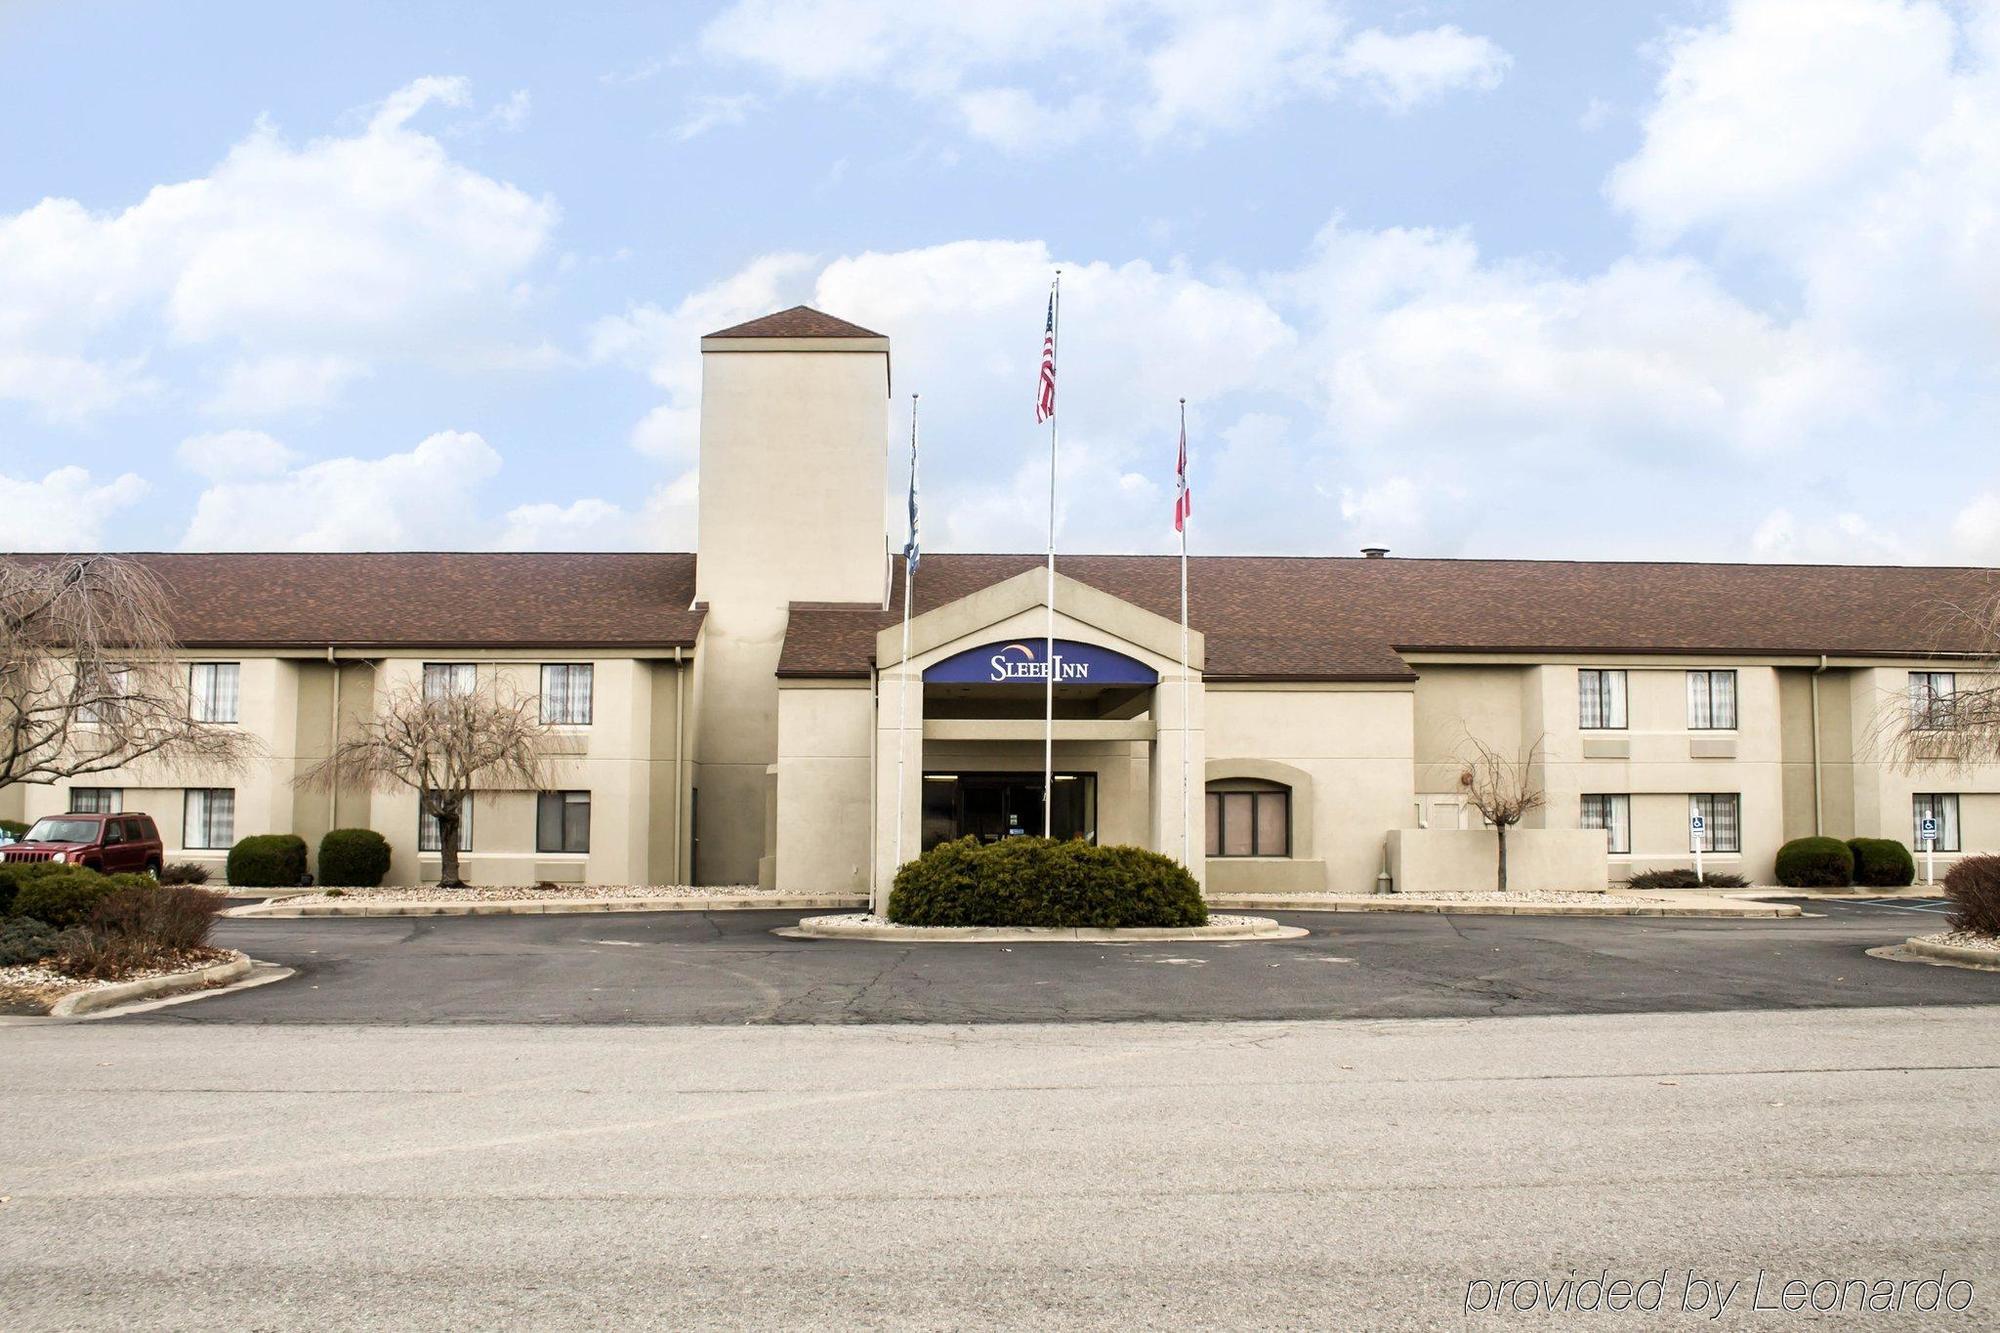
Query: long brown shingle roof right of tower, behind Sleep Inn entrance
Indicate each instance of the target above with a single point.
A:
(1349, 619)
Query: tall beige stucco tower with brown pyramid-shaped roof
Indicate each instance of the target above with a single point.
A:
(795, 427)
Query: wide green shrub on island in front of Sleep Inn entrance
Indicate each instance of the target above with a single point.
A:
(1043, 884)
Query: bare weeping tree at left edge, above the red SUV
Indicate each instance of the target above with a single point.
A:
(91, 678)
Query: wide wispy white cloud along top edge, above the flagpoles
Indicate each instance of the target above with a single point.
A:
(1157, 67)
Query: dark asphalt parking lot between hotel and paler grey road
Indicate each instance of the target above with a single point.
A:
(729, 968)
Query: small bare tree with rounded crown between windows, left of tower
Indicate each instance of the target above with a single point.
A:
(443, 744)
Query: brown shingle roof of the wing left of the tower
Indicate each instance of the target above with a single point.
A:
(429, 599)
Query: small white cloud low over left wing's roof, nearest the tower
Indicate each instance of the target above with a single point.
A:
(419, 499)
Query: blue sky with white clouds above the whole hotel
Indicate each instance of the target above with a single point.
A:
(1679, 279)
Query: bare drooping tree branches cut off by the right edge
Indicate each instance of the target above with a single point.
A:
(1955, 728)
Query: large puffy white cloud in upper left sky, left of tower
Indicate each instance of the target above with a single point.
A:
(331, 253)
